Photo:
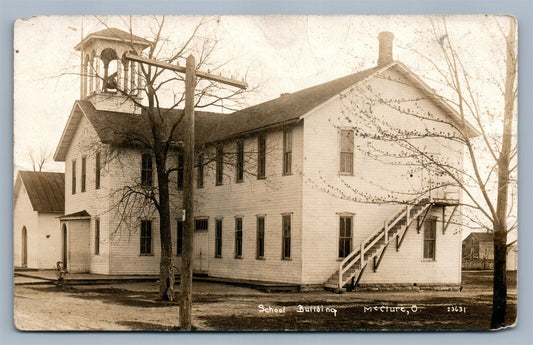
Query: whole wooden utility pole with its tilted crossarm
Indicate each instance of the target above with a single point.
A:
(188, 171)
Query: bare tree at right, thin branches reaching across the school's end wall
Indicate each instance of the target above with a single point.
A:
(409, 142)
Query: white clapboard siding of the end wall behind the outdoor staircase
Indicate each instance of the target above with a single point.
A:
(326, 195)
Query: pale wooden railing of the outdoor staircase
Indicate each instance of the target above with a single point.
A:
(358, 255)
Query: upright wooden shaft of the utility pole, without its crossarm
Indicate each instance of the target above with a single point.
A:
(188, 199)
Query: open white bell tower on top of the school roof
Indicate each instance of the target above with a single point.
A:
(108, 80)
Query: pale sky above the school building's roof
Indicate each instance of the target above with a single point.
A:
(279, 53)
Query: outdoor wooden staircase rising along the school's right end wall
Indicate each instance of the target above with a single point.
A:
(371, 250)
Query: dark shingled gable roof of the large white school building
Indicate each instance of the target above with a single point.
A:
(212, 127)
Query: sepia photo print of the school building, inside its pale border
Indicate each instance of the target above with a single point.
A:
(265, 173)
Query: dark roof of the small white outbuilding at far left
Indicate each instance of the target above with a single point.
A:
(46, 190)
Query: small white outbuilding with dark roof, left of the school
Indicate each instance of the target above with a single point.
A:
(39, 201)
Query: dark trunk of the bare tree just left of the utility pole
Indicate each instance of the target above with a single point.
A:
(166, 267)
